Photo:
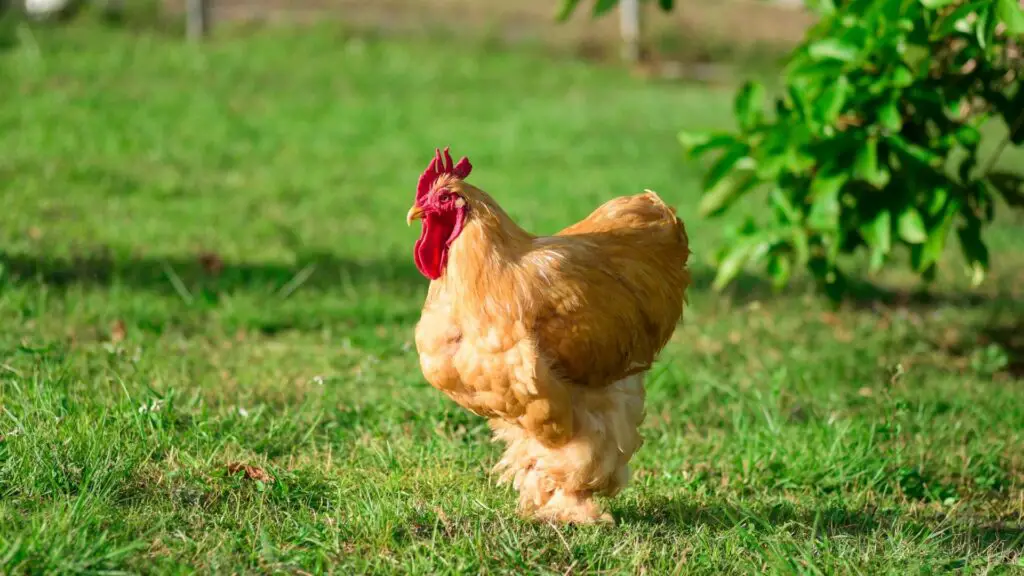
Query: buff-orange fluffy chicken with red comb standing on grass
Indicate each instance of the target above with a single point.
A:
(548, 338)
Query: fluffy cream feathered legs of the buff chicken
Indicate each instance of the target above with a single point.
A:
(560, 483)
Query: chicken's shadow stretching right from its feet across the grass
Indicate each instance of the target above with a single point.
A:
(831, 521)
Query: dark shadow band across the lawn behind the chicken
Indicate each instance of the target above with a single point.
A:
(208, 274)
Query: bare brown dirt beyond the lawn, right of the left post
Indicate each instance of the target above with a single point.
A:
(744, 23)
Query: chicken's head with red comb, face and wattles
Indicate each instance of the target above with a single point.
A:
(442, 210)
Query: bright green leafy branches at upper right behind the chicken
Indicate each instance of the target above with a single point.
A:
(875, 141)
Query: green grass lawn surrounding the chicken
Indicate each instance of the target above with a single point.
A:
(205, 268)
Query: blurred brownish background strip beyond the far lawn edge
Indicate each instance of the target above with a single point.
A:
(720, 28)
